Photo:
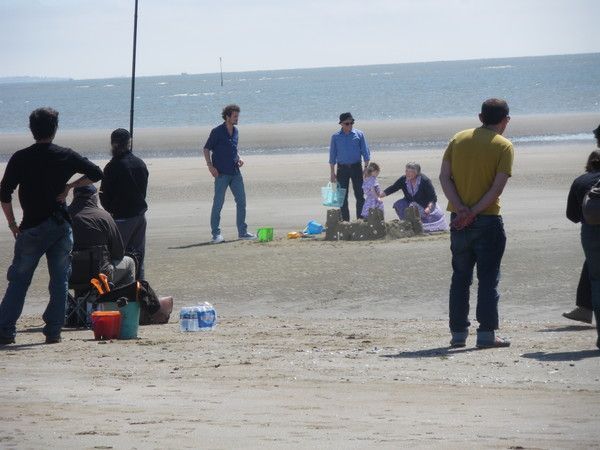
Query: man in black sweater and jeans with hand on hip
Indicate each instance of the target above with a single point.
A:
(41, 172)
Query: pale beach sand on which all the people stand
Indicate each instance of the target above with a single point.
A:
(319, 344)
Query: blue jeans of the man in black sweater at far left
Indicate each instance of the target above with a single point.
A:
(56, 241)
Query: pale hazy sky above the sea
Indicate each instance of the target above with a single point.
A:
(93, 38)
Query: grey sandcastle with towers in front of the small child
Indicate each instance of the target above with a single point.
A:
(372, 228)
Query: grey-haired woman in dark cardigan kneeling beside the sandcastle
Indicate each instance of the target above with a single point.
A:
(419, 192)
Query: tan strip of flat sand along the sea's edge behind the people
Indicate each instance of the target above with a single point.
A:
(284, 138)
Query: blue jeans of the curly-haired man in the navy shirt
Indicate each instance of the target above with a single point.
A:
(236, 184)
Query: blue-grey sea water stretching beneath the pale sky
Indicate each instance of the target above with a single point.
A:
(561, 84)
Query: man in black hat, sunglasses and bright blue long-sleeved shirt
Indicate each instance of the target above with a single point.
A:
(347, 147)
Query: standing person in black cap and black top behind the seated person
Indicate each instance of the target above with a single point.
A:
(123, 194)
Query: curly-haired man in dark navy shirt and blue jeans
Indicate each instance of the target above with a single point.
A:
(224, 166)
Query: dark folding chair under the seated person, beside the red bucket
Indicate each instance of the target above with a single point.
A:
(85, 265)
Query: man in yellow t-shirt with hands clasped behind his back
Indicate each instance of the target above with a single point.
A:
(475, 169)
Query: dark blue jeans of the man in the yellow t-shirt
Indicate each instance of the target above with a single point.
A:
(481, 244)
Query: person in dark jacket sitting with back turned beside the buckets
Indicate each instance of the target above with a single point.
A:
(92, 226)
